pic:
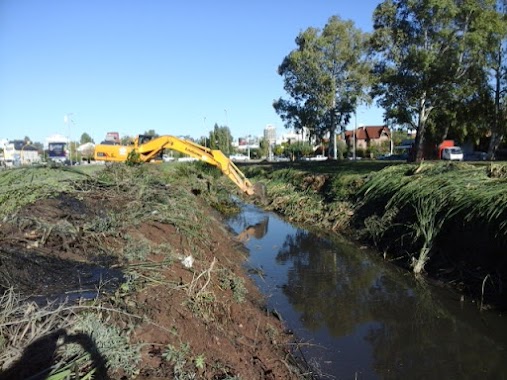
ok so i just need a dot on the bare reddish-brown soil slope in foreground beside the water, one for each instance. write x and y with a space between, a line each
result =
240 338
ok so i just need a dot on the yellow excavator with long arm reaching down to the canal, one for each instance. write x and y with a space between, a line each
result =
149 148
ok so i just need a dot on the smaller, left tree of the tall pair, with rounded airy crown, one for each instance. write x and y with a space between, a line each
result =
326 76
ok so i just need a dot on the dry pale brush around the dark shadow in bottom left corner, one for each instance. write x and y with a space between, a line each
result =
63 341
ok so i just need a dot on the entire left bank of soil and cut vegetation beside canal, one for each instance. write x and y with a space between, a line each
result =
145 281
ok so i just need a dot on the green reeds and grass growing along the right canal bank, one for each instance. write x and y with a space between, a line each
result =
399 208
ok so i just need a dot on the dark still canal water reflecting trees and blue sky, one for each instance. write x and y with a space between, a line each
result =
358 317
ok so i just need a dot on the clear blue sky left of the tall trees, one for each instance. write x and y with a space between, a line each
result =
177 67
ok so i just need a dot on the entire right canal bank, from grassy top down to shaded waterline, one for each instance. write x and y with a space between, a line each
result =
448 220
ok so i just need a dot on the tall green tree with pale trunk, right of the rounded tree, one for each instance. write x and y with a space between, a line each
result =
427 52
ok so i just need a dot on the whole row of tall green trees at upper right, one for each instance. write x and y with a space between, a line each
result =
436 66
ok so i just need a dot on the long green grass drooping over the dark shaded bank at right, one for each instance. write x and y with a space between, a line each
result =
421 200
